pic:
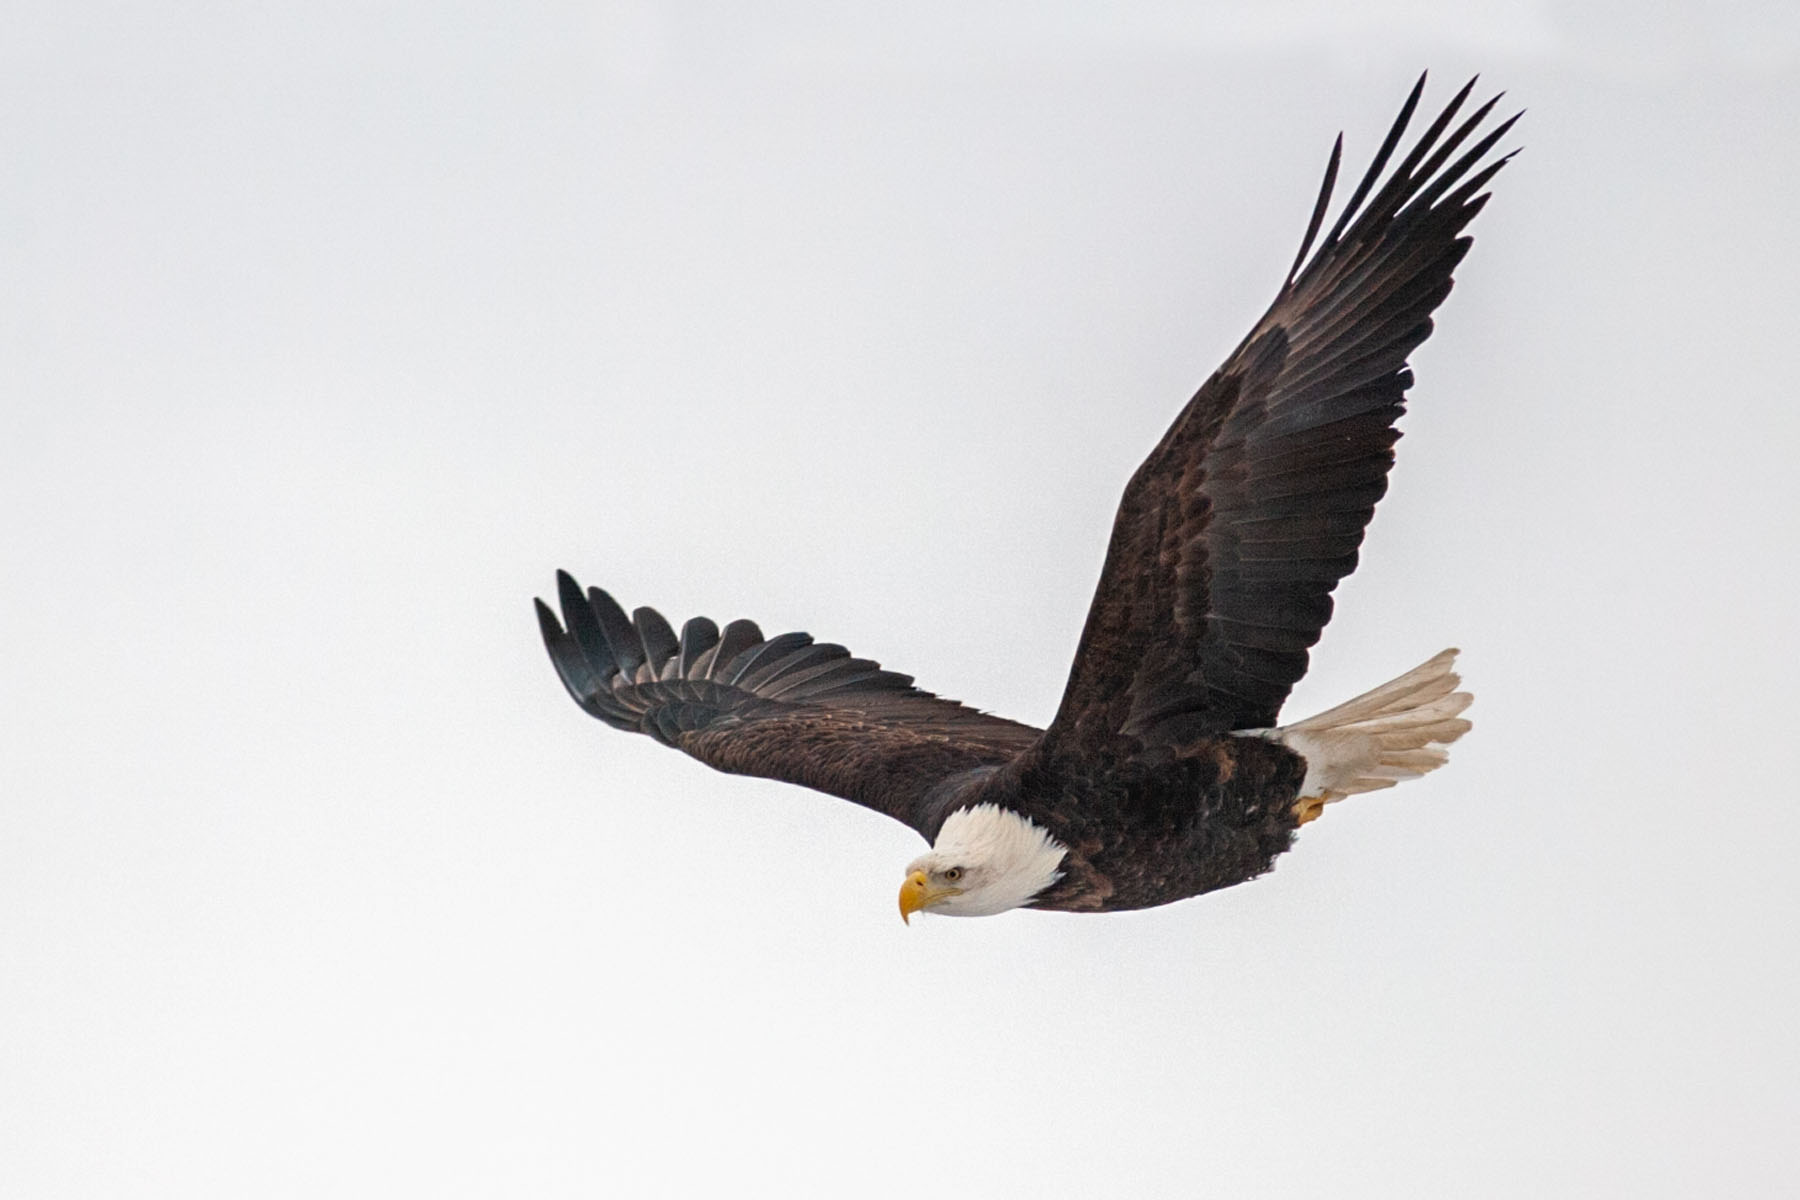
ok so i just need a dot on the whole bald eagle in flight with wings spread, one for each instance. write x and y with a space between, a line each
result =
1164 773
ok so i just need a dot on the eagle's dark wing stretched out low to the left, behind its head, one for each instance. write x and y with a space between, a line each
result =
782 708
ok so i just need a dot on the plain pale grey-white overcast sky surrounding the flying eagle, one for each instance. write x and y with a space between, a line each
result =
330 330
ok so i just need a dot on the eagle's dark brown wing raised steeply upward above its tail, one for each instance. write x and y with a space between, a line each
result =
1246 515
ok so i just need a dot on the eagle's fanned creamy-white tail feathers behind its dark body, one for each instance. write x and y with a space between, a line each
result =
1394 733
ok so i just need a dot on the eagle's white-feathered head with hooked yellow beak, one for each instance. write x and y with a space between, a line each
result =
987 859
